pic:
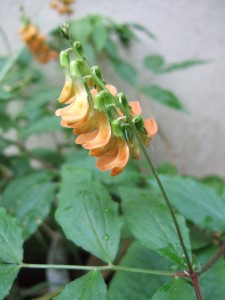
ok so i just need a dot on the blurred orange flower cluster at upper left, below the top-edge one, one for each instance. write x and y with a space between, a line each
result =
36 43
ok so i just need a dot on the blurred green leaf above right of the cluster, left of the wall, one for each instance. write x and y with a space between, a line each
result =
124 70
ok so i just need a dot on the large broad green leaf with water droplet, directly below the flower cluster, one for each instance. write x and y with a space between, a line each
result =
87 213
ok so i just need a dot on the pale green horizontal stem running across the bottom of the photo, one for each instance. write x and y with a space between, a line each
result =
99 268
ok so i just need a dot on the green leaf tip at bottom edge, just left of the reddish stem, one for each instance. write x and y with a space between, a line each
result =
175 289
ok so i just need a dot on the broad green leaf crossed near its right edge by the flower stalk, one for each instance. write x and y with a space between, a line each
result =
150 222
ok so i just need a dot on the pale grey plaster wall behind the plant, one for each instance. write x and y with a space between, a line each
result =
185 29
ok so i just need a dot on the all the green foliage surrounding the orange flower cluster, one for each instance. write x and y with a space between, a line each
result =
121 224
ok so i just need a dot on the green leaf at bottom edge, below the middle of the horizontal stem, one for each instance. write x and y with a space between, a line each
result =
88 287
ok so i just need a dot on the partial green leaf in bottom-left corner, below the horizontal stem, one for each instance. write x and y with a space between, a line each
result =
8 274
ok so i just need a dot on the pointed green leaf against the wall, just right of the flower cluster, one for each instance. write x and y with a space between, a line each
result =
163 96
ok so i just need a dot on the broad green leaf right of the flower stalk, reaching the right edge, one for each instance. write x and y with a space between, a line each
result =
197 202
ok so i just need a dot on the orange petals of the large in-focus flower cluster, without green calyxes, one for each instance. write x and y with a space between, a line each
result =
93 127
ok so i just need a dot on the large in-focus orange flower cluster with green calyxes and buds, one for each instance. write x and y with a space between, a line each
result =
94 110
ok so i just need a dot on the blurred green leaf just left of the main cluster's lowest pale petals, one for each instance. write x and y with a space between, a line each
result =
43 125
